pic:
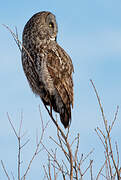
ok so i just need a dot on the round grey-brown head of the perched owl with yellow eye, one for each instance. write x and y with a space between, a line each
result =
43 26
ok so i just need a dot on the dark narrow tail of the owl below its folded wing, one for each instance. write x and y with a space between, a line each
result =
65 117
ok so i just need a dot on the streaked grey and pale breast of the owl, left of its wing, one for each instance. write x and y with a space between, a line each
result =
37 74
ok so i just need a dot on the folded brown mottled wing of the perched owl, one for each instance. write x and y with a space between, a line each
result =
60 67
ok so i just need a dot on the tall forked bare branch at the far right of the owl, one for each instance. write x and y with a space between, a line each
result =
107 141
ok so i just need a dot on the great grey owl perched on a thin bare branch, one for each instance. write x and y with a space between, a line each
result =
47 66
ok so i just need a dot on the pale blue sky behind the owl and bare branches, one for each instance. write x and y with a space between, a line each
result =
90 32
